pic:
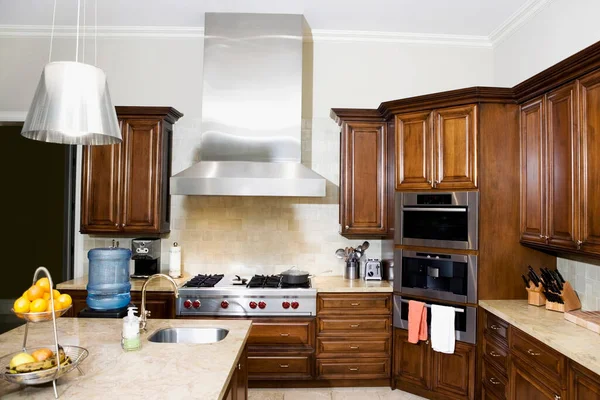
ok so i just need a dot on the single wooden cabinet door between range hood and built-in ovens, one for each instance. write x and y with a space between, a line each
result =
363 179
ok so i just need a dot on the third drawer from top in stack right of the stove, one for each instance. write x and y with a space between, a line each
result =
342 347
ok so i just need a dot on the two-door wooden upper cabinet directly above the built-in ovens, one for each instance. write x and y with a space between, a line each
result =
437 149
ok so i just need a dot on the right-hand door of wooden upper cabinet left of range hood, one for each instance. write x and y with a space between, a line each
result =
141 175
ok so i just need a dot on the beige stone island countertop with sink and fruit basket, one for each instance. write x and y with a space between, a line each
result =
157 371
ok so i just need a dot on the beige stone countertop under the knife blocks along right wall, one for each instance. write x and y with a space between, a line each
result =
550 327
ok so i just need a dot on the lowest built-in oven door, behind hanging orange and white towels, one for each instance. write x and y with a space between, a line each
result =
464 322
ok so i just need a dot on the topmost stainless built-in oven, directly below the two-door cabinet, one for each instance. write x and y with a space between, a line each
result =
444 220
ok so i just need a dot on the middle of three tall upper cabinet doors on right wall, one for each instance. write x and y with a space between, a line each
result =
562 131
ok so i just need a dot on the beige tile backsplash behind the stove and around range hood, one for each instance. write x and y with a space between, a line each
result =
265 235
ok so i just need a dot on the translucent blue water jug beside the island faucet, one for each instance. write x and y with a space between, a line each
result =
108 284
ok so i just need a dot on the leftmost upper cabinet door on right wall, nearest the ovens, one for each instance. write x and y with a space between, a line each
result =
533 172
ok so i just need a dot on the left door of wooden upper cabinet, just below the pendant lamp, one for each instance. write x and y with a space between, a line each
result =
100 190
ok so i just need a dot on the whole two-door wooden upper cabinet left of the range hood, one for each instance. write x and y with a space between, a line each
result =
125 187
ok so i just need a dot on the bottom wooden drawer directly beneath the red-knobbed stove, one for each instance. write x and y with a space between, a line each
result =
279 367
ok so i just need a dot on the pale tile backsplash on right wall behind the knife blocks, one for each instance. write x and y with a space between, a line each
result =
585 279
